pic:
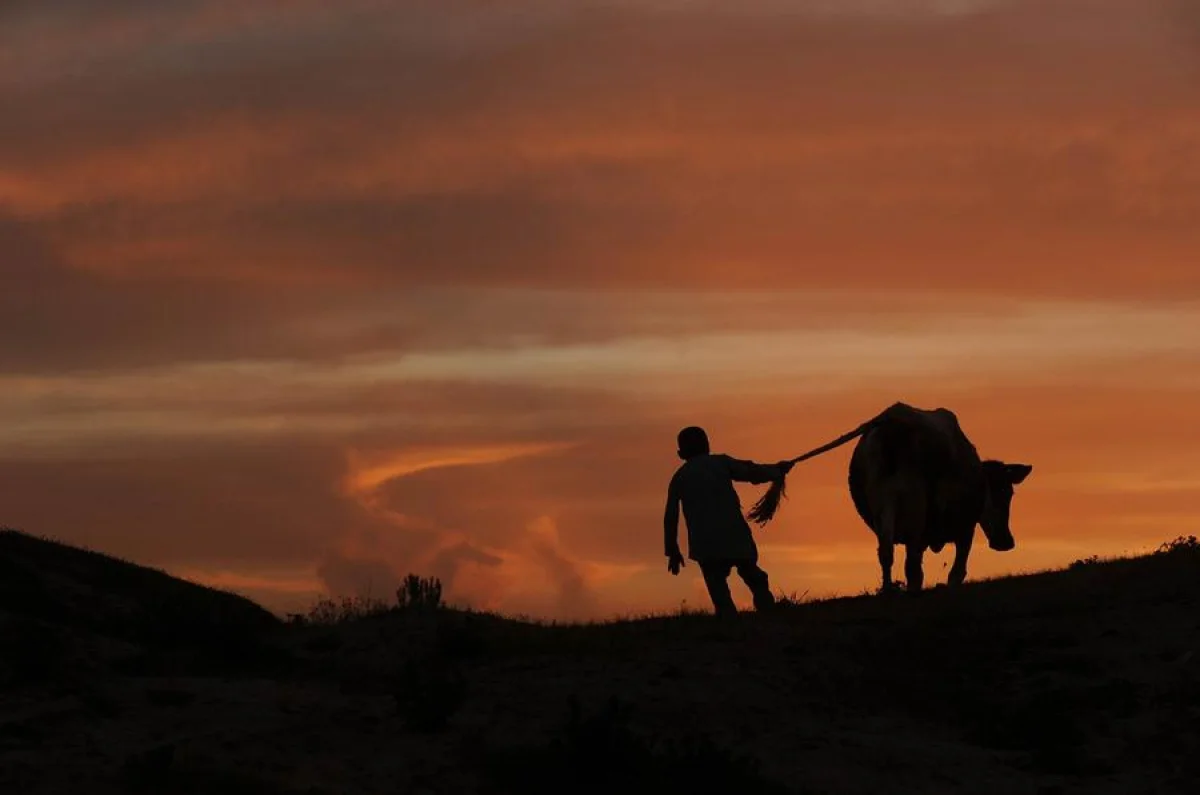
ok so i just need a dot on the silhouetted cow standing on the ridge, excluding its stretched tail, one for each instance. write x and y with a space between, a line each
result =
916 480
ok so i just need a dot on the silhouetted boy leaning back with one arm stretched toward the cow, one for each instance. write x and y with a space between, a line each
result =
719 537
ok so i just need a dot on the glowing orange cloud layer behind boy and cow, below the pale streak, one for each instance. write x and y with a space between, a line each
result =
577 533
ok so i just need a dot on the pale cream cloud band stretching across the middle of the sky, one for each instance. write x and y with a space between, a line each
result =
571 352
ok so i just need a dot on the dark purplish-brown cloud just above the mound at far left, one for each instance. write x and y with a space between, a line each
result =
197 507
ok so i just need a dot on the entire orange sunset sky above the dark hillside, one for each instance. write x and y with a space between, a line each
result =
303 297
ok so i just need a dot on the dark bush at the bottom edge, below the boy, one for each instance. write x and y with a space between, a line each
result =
602 754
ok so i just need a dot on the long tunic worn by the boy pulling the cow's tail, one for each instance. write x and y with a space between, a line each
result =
717 529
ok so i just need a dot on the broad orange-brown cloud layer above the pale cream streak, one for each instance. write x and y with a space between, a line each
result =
626 145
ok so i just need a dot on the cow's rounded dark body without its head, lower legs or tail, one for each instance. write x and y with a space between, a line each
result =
920 450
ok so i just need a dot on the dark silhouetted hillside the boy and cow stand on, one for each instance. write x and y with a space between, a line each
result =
1082 680
